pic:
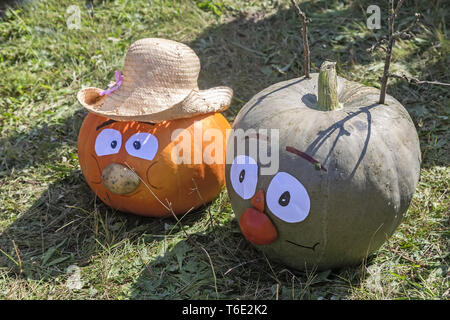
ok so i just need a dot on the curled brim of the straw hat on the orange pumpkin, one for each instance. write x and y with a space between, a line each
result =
197 102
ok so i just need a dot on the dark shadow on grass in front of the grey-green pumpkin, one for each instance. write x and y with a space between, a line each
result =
220 263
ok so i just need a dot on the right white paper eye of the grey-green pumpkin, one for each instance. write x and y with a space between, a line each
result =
287 198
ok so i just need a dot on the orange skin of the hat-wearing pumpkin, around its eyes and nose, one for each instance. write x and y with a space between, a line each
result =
159 178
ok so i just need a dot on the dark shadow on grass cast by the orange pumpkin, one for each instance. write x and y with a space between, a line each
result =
68 226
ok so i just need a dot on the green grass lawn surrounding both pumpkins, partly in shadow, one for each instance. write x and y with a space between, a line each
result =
50 220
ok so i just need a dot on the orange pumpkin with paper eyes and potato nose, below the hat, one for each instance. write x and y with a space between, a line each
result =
130 165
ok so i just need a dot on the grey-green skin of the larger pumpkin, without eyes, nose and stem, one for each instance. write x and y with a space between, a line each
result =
370 158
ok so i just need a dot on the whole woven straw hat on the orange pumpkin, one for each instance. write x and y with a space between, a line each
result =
159 83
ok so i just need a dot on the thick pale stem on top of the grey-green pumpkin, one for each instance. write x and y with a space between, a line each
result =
327 91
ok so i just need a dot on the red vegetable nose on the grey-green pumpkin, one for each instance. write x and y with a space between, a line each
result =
255 224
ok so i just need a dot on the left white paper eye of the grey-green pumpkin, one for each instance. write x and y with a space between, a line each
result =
244 176
